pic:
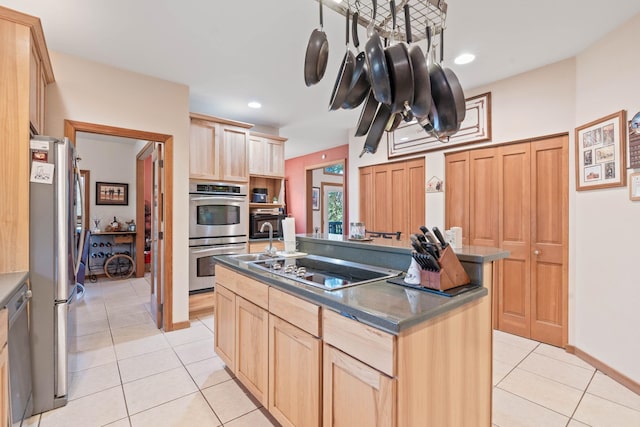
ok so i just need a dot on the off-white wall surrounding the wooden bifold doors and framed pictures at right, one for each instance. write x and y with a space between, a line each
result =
604 294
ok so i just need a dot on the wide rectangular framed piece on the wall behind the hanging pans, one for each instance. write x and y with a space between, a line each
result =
411 138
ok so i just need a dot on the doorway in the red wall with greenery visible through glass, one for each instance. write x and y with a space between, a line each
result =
326 197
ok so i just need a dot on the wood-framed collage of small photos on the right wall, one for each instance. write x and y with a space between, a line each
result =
600 153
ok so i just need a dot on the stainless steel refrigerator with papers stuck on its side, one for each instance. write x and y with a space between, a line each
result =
55 244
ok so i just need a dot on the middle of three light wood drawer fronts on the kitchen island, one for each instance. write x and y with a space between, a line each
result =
296 311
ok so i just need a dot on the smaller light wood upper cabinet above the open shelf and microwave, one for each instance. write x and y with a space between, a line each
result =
266 155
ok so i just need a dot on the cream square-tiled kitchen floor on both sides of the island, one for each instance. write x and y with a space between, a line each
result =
125 372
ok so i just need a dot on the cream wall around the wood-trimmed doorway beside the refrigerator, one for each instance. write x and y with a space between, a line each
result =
91 92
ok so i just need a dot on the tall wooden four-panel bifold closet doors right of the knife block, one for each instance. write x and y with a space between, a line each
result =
515 197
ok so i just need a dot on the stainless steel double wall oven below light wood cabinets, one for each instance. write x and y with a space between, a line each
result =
218 225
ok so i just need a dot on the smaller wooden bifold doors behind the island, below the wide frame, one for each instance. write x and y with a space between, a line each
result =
392 196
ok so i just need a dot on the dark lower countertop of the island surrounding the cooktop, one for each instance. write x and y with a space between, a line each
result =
391 308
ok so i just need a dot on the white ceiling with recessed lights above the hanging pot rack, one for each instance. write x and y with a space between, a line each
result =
232 52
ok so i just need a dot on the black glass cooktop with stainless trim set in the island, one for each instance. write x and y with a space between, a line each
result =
322 272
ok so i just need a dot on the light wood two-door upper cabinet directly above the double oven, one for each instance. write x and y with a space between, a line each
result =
218 149
